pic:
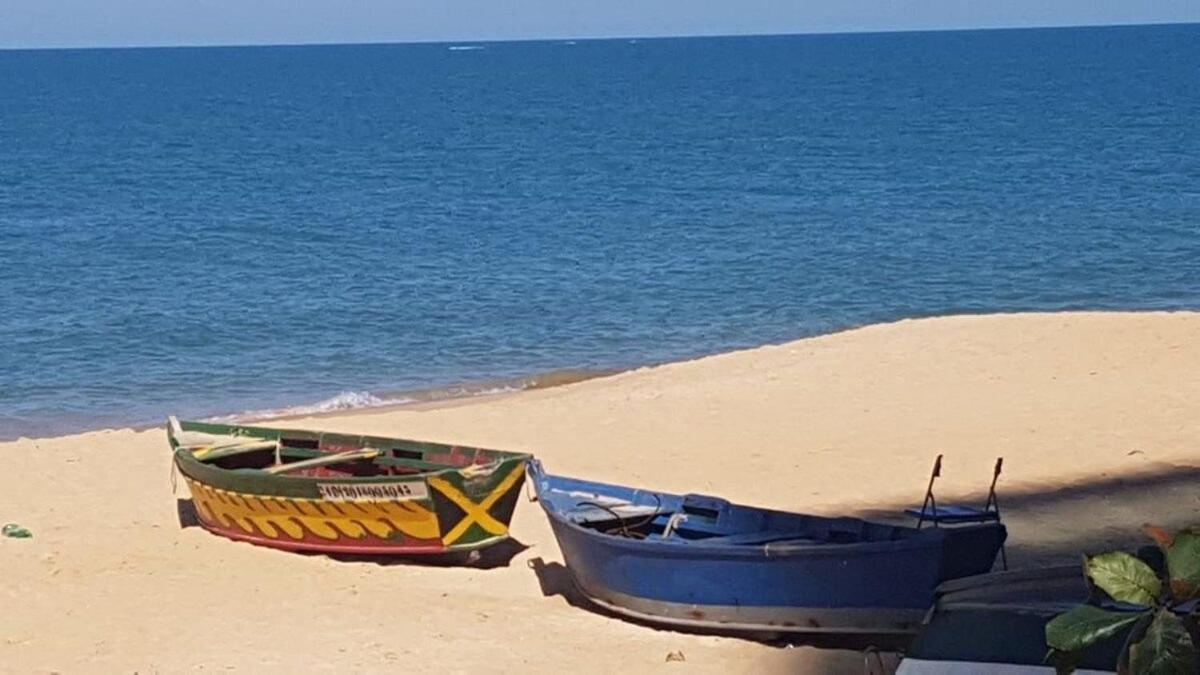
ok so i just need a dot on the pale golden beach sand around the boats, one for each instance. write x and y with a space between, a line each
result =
1096 415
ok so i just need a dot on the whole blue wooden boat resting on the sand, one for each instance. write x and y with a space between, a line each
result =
701 563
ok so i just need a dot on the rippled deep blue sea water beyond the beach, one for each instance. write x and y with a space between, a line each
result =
211 231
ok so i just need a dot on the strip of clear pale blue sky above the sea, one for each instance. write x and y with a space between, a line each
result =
79 23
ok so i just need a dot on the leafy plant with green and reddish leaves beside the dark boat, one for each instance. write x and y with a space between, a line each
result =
1159 610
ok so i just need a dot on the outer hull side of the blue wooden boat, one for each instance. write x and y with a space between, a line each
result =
879 588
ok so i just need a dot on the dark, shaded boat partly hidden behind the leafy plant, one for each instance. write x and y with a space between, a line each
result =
995 625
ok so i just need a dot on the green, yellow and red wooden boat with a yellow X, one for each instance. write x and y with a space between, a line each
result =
335 493
